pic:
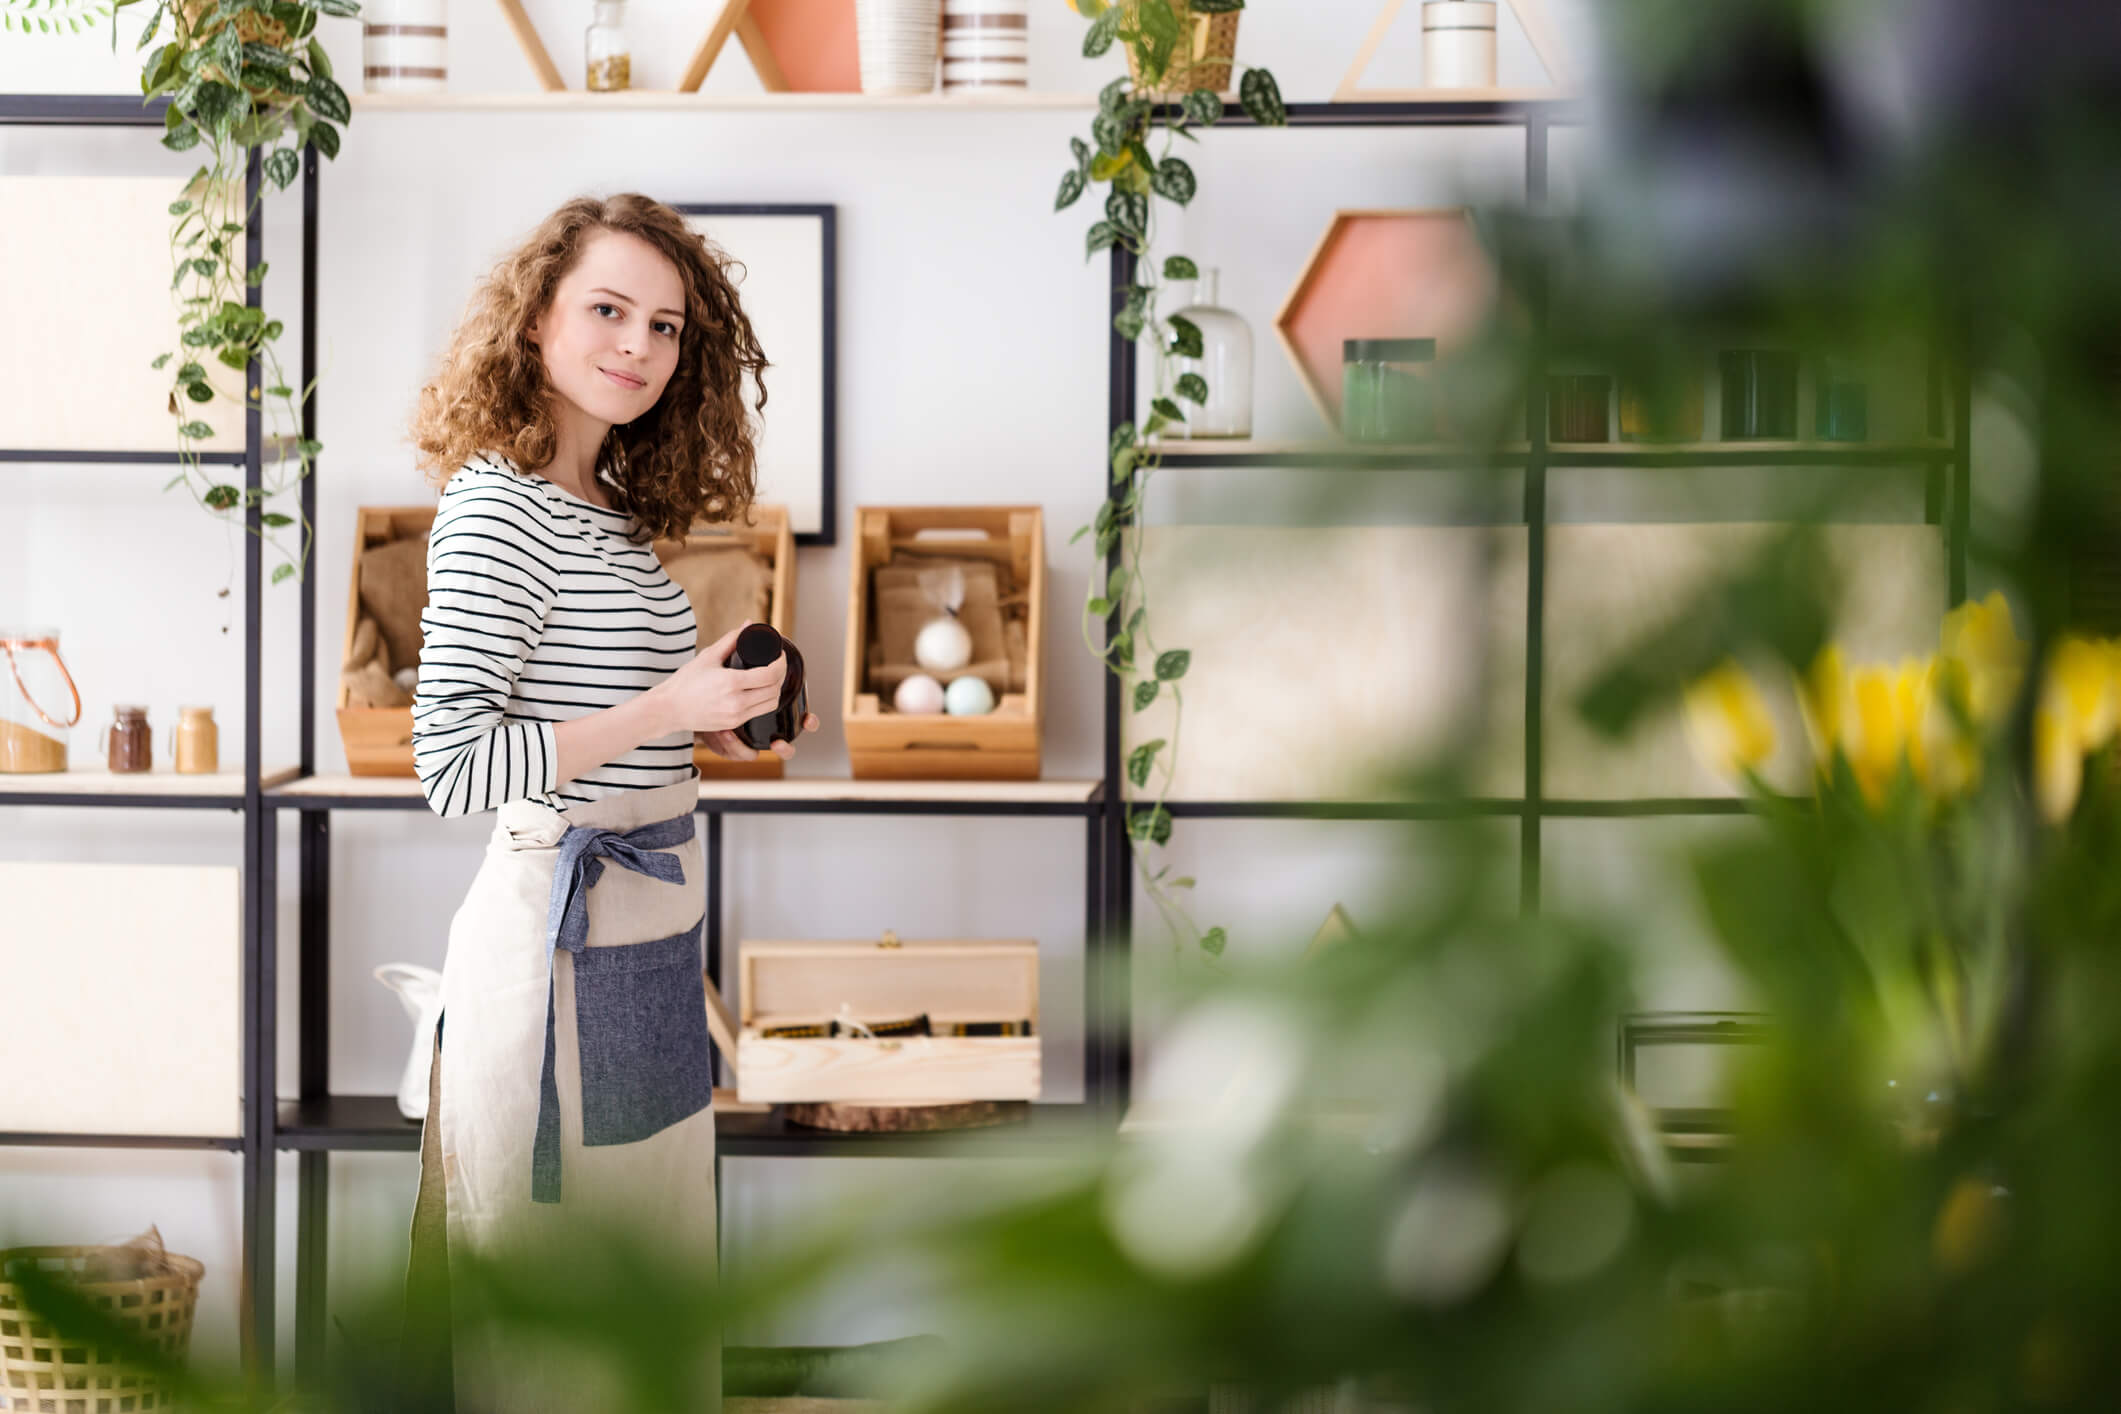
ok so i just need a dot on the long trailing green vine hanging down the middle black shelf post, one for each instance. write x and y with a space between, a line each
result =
1157 37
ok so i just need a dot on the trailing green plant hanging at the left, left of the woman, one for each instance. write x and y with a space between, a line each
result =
243 77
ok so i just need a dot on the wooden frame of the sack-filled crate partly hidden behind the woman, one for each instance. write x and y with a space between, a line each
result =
379 741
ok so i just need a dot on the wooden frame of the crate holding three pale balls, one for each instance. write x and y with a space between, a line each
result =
1004 745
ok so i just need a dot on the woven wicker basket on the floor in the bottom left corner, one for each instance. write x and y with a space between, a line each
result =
39 1375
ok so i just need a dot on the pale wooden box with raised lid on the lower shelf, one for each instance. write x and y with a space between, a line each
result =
873 983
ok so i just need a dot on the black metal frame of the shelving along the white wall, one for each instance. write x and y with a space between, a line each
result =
319 1123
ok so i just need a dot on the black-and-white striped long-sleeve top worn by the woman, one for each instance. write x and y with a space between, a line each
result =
538 612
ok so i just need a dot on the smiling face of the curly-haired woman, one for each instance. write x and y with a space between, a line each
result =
612 334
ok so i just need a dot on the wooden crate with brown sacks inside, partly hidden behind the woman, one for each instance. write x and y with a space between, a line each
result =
726 571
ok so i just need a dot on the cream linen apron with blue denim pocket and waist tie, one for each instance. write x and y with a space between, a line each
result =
561 1120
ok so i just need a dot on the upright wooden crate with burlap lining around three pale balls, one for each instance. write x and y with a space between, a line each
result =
1002 554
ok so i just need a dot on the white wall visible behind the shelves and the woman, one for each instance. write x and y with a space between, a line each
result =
972 368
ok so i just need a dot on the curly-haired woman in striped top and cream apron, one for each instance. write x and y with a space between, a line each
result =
593 400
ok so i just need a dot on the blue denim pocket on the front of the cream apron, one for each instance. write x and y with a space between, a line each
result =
642 1019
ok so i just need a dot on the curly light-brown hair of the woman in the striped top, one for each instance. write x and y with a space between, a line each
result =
688 459
